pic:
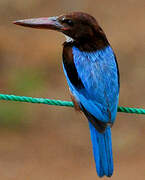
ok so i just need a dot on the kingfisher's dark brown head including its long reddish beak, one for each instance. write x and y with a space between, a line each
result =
77 26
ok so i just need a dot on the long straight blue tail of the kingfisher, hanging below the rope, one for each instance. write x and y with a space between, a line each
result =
102 149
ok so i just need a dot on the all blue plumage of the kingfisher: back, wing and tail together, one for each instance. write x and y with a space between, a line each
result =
98 72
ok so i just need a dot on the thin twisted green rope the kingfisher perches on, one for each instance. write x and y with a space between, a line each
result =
7 97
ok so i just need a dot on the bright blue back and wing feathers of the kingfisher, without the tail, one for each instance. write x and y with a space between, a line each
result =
98 73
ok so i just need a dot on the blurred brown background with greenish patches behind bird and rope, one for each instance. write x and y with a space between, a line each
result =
48 142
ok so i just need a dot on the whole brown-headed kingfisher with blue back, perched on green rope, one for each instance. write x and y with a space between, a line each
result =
92 74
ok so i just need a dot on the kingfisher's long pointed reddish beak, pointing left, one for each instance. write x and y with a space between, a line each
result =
41 23
